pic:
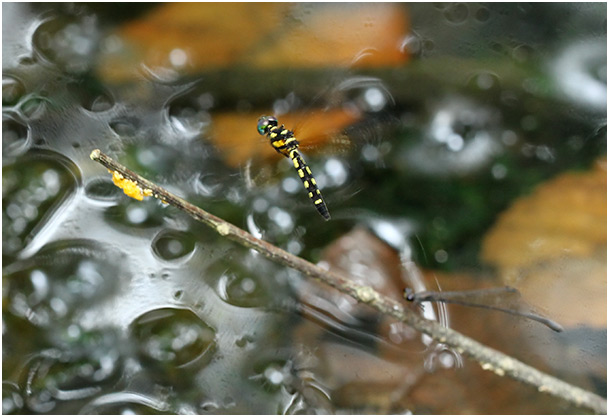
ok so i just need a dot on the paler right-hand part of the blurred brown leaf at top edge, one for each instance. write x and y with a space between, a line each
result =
359 35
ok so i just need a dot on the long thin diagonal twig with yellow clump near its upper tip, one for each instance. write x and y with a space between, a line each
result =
488 358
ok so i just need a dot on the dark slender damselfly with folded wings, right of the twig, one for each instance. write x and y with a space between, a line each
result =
504 299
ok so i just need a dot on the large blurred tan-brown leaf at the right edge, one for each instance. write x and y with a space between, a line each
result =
552 246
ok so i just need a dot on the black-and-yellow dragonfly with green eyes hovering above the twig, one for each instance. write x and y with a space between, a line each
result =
284 142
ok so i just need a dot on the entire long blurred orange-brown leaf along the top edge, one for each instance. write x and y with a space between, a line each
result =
212 36
